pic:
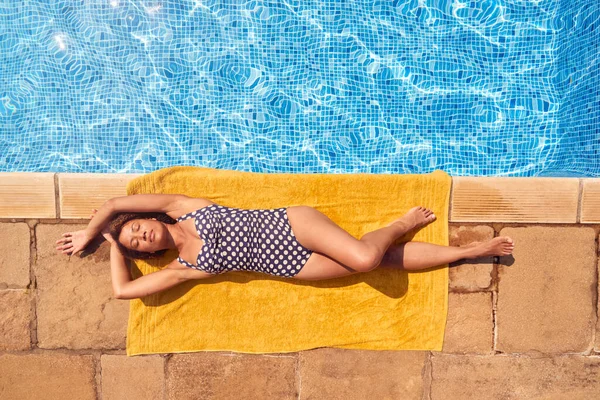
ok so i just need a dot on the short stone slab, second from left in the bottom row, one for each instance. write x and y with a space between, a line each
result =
133 378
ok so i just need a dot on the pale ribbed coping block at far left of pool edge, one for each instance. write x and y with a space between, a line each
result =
27 195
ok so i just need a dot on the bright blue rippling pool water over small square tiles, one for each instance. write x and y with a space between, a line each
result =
488 88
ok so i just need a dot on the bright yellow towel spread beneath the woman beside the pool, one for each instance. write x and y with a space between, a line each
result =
250 312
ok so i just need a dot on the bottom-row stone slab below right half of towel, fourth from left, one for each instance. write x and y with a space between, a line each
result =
331 373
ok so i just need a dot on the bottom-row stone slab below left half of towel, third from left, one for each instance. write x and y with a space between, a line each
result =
210 375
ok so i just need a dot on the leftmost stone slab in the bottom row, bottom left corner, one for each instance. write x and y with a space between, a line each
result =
47 376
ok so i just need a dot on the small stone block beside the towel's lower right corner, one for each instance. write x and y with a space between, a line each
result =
470 326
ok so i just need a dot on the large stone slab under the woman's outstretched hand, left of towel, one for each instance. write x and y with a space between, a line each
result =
75 304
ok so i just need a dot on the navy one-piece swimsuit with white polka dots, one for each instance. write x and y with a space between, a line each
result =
246 240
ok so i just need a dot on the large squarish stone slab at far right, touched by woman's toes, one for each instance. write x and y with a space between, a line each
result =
546 298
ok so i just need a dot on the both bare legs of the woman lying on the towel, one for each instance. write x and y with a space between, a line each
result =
336 253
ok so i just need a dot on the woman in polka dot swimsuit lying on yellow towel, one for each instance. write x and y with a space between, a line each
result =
293 242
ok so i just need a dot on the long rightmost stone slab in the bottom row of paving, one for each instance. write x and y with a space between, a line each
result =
514 377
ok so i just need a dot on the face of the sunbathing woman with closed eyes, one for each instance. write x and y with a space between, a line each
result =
145 235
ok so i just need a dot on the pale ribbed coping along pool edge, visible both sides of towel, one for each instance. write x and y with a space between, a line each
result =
472 199
